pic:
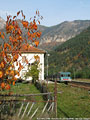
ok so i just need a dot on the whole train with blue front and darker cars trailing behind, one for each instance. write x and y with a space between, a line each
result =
62 77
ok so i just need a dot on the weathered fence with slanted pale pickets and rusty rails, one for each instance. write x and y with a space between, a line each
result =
24 106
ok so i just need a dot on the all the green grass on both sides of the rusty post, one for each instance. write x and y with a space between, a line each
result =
72 102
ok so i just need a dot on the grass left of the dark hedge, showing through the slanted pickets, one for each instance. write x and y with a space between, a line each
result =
21 88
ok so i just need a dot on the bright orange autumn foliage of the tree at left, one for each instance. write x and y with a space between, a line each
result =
10 50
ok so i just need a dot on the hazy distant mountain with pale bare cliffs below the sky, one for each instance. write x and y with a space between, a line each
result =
52 36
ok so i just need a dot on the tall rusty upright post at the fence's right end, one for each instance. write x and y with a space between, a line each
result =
55 97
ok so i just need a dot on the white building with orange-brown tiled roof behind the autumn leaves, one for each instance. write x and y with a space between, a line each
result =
29 54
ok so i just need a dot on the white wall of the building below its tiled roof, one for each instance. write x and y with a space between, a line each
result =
31 59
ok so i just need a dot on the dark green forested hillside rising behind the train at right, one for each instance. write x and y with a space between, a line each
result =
73 55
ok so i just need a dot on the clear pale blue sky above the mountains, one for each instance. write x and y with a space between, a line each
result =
53 11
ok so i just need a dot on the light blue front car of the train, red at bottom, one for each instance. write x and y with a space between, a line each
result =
64 77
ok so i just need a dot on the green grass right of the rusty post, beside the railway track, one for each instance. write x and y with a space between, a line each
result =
72 102
